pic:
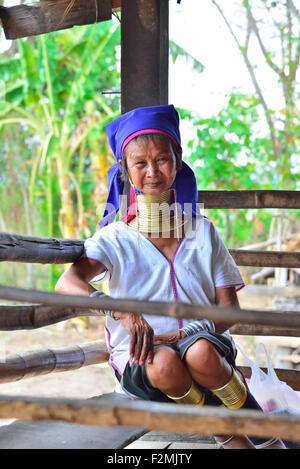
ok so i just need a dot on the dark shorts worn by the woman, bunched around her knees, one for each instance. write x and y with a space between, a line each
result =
135 378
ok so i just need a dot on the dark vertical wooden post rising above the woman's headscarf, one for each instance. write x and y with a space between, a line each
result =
144 53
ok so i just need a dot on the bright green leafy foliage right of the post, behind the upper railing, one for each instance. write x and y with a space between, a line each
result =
229 153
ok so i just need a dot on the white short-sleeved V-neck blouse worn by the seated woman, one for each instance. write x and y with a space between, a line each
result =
138 270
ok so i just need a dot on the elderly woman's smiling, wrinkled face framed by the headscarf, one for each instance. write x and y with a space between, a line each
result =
151 165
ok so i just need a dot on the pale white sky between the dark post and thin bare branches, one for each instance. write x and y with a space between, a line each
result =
198 28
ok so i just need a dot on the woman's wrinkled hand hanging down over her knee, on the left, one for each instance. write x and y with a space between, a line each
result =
140 335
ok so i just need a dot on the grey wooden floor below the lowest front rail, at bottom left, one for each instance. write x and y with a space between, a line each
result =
45 434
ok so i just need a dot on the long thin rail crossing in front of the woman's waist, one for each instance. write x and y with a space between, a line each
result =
156 308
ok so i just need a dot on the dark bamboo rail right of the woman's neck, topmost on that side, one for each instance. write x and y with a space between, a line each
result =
249 199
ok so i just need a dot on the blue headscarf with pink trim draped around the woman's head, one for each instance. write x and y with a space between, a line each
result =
153 119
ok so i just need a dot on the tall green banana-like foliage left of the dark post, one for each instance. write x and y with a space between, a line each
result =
52 118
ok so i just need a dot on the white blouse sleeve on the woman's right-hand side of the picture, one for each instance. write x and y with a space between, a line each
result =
224 268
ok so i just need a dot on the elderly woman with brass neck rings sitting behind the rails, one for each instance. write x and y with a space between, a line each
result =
169 254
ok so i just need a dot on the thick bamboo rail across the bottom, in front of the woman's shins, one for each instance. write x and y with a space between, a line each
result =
168 417
